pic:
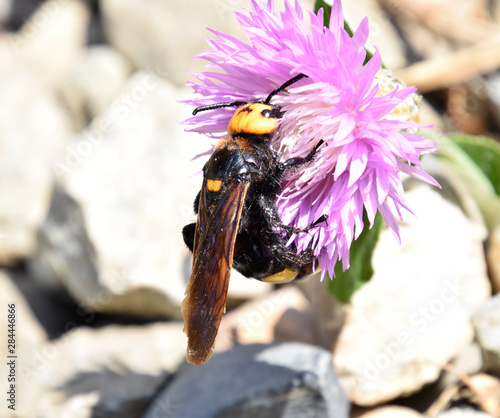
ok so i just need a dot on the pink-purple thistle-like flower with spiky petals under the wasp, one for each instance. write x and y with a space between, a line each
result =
366 148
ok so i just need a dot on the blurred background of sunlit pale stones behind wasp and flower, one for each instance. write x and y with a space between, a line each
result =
97 179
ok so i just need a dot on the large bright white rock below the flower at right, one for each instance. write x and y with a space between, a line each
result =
414 314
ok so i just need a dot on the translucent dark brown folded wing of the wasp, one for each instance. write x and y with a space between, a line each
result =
206 291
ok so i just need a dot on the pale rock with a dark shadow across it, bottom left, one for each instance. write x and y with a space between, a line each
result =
109 372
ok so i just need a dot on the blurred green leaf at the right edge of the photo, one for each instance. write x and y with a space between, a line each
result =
485 152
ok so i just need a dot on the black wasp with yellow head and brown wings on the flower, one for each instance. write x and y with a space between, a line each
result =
238 224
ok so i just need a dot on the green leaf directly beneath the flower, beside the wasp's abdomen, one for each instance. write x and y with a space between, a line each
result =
345 283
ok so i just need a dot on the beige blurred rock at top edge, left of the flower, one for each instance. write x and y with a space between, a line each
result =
166 35
